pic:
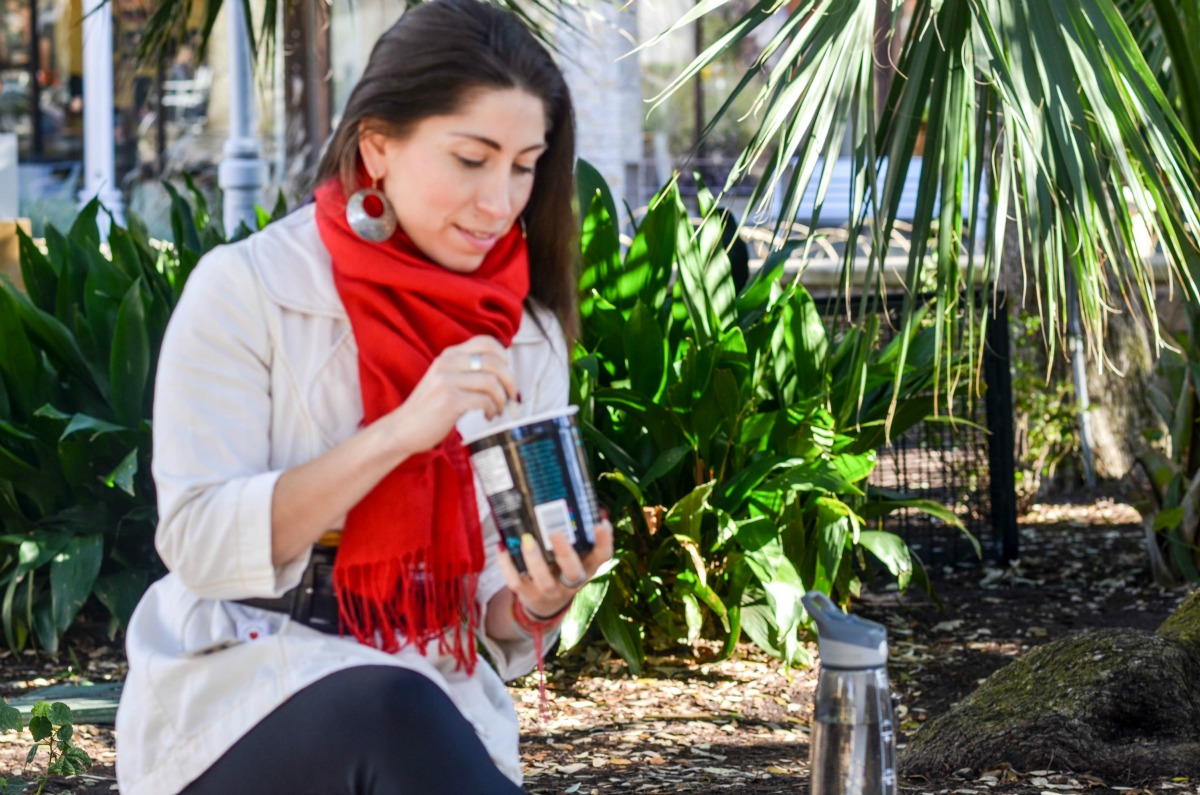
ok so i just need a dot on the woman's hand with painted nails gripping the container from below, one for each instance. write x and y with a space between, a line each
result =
542 591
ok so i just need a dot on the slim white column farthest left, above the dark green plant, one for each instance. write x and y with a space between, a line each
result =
100 142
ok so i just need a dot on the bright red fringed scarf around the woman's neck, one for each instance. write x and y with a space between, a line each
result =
412 549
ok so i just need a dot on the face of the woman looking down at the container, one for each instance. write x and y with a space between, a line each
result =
458 183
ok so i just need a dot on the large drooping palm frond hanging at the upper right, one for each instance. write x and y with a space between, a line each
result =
1045 107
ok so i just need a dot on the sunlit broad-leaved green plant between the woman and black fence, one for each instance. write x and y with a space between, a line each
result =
733 434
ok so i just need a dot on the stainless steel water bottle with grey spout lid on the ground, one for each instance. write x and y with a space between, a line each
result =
853 750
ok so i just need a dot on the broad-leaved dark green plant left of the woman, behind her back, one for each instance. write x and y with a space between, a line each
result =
79 352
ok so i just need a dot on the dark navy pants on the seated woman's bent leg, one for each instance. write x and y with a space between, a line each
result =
368 731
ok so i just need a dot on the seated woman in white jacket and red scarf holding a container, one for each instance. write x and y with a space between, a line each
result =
313 393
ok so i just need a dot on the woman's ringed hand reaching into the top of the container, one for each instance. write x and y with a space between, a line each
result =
475 375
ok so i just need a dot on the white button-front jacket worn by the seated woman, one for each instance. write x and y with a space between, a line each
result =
259 374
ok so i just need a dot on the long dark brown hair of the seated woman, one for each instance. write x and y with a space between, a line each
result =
429 64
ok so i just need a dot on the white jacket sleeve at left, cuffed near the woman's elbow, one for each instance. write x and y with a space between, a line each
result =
212 437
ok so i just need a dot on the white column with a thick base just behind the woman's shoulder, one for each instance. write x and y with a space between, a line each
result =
243 174
